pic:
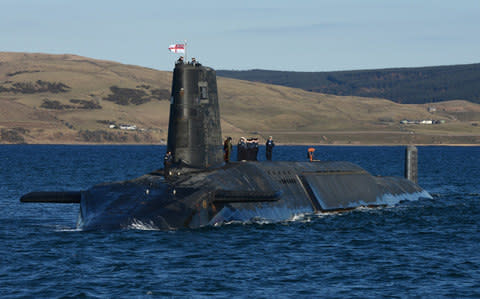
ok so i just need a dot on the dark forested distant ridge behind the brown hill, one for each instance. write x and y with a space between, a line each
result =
402 85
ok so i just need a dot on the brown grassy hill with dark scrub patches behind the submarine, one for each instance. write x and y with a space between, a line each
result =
72 99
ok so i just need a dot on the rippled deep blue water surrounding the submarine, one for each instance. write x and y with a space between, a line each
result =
425 248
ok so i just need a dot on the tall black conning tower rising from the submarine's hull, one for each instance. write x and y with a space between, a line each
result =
194 132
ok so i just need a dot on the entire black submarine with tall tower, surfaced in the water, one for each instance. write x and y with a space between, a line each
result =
199 189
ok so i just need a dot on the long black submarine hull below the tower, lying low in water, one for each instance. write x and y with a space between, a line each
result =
241 191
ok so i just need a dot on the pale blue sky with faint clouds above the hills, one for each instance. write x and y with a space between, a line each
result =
309 35
